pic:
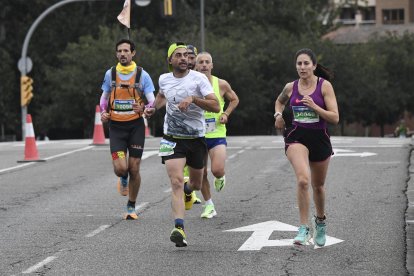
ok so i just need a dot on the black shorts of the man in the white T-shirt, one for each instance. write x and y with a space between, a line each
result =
194 150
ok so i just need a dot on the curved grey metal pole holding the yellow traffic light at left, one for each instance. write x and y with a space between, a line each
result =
32 28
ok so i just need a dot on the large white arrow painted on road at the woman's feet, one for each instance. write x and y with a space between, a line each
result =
262 231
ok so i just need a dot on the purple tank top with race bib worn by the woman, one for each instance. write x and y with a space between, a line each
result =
304 116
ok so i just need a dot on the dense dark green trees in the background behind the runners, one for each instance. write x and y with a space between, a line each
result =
252 42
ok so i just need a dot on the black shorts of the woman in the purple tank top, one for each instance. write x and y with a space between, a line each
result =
317 141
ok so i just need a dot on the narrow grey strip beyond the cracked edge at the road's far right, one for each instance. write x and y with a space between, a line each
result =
409 215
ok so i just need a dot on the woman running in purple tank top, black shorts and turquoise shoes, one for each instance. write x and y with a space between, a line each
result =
307 142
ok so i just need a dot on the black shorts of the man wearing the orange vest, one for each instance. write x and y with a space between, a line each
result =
128 135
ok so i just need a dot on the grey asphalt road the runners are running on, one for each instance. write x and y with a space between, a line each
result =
64 216
